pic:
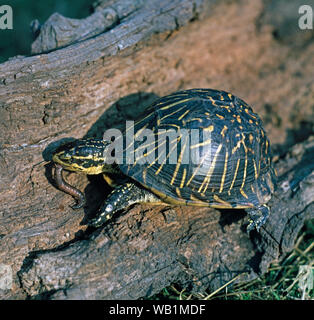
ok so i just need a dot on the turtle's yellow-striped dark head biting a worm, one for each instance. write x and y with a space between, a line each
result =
87 156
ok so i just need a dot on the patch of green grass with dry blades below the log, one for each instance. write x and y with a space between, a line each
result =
291 279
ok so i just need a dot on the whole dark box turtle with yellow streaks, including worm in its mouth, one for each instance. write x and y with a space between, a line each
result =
214 153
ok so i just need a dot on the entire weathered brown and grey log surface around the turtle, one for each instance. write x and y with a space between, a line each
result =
93 85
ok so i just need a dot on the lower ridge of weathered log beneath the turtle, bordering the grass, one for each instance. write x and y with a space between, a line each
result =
148 248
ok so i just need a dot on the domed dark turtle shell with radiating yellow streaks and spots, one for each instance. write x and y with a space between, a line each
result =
202 147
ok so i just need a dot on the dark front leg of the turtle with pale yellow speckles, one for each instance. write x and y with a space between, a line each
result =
121 198
